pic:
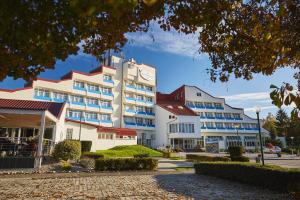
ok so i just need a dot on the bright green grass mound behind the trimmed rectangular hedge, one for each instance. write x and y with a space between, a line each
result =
128 151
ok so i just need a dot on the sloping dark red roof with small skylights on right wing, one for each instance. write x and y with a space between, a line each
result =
176 108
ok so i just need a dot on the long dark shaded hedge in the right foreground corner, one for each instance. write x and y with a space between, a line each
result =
271 177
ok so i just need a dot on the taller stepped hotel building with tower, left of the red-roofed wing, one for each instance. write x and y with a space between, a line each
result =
108 104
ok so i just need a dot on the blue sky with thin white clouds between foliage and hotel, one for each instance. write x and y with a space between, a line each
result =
178 62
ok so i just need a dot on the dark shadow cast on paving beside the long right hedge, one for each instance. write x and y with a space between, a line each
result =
205 187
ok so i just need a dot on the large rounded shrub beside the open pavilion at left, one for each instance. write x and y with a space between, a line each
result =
67 150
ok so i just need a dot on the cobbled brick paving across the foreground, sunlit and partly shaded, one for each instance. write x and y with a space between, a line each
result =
130 186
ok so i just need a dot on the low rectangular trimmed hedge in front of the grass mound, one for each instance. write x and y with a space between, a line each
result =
121 164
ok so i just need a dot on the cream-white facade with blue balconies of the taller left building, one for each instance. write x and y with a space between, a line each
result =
120 96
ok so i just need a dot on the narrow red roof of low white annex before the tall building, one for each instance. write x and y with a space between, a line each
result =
118 131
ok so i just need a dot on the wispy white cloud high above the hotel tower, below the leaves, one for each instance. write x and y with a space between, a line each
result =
167 41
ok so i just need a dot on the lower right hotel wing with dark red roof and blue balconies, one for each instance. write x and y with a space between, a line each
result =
220 125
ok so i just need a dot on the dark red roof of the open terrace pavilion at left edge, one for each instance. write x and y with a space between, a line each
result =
52 107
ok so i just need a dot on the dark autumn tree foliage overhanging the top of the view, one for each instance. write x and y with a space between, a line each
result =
240 37
